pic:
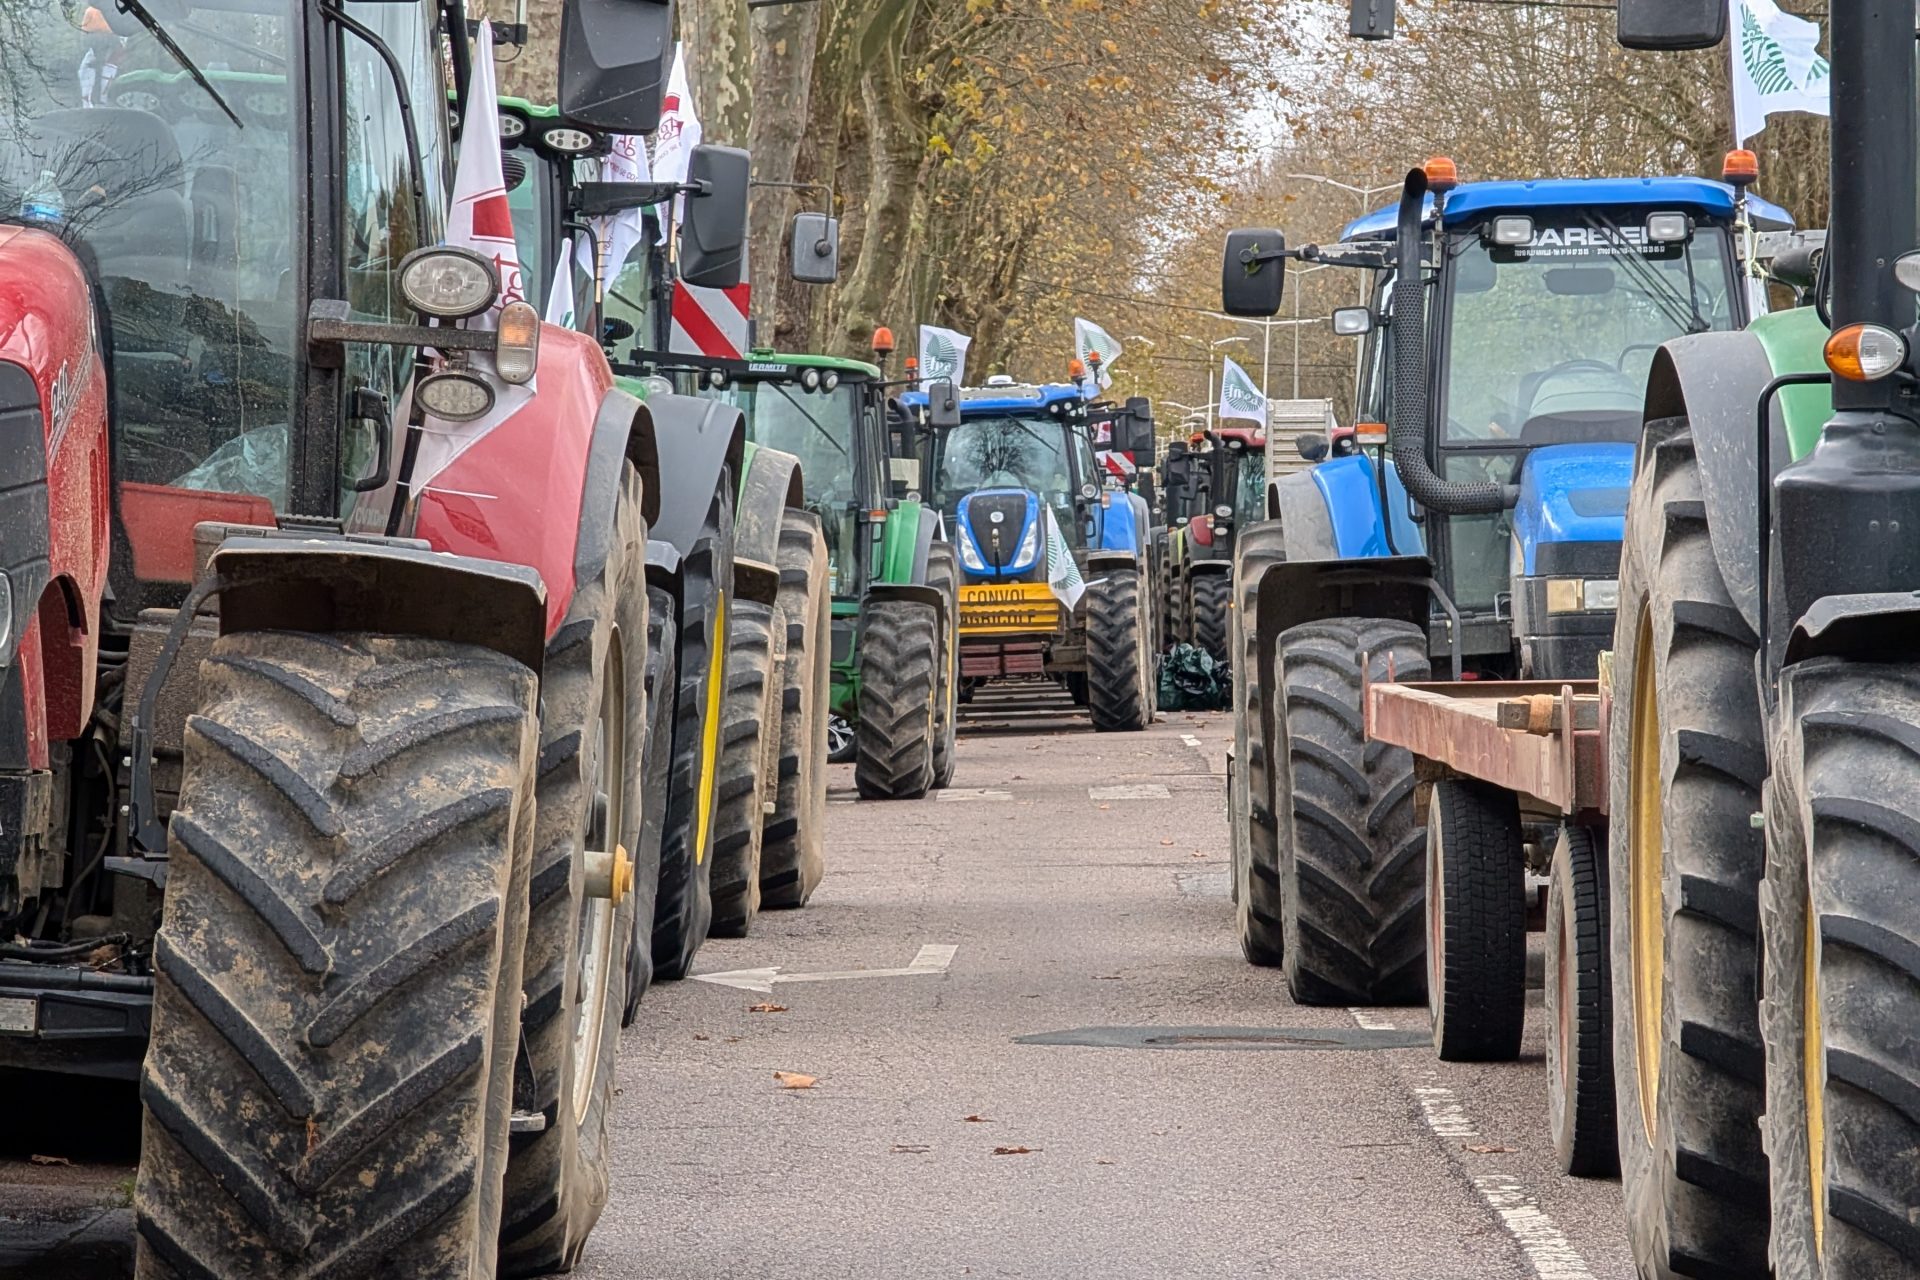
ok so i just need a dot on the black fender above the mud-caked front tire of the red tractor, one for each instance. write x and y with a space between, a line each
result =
391 588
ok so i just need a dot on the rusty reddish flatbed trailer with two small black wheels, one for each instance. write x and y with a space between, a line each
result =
1514 778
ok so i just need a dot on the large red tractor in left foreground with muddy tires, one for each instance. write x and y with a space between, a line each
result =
322 776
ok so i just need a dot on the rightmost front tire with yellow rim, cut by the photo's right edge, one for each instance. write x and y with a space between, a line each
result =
1840 914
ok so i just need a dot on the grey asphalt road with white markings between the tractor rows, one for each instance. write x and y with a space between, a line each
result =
1193 1124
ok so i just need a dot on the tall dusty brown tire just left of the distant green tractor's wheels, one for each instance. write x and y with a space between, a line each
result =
794 845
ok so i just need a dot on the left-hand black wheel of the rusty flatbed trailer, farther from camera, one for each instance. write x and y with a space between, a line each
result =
1476 922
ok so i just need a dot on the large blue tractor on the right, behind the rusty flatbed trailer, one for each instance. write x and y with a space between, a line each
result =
1506 350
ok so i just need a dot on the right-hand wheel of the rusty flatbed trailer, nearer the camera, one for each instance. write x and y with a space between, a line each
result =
1581 1010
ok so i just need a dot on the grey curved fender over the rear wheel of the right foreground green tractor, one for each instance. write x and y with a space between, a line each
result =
1716 383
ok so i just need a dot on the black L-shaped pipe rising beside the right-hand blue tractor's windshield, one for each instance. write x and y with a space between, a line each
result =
1406 433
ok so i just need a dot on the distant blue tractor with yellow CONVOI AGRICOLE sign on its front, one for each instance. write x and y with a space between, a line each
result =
1057 577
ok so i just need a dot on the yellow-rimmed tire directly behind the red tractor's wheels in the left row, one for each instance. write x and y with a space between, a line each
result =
684 909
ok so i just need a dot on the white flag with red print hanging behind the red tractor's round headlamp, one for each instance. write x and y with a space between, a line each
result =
481 222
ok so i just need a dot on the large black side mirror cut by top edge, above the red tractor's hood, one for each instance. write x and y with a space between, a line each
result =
615 57
